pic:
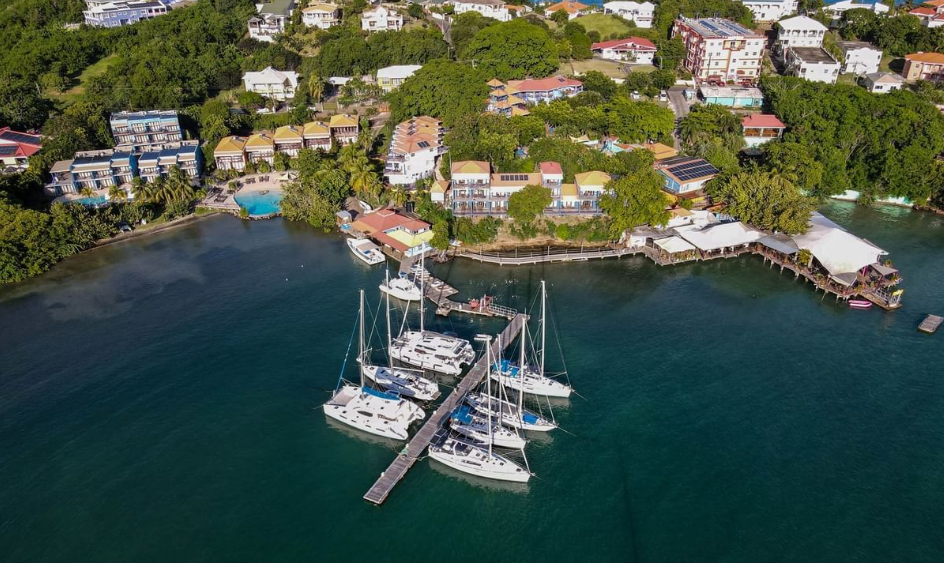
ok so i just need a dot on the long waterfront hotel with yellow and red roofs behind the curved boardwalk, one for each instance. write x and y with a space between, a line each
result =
476 191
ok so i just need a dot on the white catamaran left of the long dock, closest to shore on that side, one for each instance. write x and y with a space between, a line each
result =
431 350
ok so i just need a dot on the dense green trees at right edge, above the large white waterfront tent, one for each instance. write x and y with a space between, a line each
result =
877 145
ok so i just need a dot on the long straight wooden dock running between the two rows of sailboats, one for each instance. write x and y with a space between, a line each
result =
417 445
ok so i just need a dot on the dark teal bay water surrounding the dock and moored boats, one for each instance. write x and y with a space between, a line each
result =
158 402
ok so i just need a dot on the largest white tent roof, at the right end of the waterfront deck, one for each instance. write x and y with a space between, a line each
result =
837 250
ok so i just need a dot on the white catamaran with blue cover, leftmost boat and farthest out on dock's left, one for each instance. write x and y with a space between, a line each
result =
370 410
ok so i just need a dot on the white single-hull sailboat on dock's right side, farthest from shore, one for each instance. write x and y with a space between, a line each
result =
469 457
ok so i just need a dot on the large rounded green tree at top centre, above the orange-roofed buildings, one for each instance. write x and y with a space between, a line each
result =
514 49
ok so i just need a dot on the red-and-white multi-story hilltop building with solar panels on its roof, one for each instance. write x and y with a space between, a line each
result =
720 50
